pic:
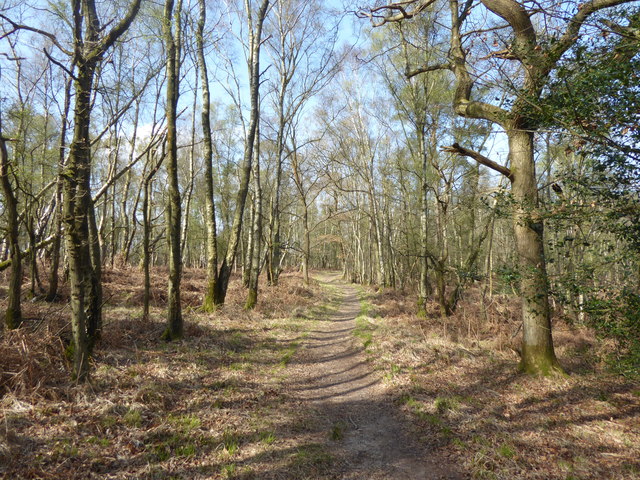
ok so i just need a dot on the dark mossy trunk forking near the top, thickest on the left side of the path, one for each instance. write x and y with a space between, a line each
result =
78 217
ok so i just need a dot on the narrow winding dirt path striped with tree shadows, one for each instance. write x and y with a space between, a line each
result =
352 401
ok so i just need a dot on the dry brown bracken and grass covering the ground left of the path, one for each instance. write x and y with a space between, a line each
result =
209 406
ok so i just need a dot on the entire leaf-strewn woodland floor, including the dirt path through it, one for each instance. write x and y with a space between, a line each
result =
330 381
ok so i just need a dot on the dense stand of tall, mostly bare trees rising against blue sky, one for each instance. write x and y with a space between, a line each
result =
490 145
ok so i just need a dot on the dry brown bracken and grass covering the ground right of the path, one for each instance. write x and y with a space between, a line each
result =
456 379
